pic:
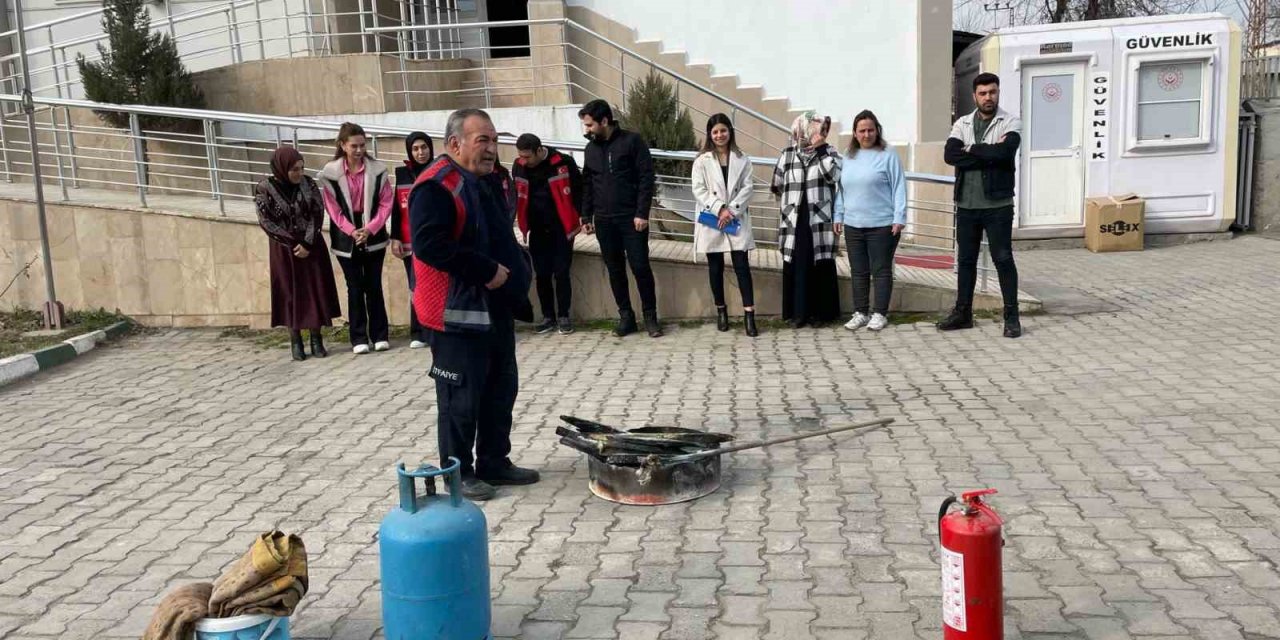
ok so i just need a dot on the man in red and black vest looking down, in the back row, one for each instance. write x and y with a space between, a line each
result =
548 200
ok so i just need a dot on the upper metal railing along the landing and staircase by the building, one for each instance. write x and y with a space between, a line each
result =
588 65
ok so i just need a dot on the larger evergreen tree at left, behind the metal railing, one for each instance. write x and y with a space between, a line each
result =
138 67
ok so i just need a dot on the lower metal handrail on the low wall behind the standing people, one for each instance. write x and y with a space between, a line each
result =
226 170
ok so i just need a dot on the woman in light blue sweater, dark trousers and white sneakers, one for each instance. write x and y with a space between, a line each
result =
871 212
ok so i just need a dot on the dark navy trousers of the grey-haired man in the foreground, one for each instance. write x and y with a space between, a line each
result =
477 383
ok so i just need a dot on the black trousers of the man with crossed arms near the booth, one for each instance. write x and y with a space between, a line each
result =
999 227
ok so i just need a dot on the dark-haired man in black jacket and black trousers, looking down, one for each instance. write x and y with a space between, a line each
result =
619 189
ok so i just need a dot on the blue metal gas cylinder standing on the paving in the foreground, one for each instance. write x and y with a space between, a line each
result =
435 557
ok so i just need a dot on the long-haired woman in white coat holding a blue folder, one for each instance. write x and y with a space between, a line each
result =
723 189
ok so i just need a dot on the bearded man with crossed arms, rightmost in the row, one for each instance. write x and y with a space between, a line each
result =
984 149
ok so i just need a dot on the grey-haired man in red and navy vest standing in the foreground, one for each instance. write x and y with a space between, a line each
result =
472 285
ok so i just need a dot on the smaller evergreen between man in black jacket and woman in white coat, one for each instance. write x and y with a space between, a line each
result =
655 113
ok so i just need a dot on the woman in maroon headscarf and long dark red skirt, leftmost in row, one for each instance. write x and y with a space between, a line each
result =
304 294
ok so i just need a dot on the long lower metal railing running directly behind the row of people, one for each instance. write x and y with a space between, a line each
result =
222 156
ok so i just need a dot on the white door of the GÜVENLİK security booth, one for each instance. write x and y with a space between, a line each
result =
1053 182
